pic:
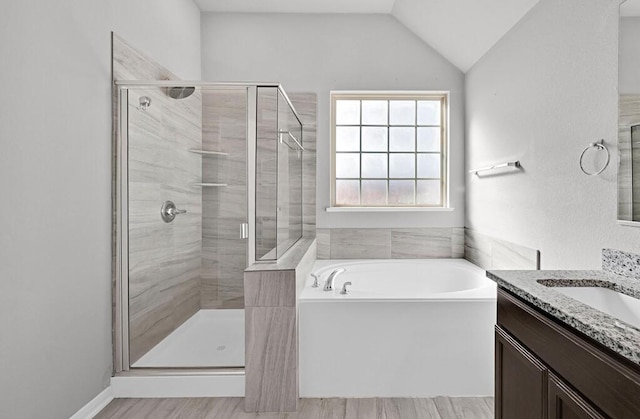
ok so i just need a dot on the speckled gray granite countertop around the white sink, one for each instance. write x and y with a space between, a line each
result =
613 333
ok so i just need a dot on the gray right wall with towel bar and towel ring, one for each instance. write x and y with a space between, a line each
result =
544 92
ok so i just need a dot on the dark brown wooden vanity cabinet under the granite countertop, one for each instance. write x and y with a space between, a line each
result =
547 370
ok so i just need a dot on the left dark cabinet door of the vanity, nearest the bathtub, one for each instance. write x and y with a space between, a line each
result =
521 381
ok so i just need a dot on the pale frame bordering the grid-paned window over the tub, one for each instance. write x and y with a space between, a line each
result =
442 96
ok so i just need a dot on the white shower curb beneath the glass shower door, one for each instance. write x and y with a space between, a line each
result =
178 386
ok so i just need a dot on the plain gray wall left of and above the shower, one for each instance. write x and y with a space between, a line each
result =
55 178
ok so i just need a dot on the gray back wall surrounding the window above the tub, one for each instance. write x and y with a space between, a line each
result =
320 53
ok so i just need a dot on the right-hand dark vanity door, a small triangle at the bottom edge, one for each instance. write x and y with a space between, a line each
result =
565 403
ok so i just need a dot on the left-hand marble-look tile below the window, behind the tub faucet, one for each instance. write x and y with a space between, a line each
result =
360 243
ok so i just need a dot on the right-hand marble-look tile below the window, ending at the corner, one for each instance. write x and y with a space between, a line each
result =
417 243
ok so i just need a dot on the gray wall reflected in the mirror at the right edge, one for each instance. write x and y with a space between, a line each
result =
630 55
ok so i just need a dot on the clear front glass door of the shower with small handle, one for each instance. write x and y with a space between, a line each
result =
186 204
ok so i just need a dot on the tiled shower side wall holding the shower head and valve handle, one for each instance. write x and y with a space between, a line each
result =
164 258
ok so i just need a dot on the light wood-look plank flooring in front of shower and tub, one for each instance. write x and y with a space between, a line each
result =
233 407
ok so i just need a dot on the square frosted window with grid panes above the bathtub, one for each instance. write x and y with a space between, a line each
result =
388 149
